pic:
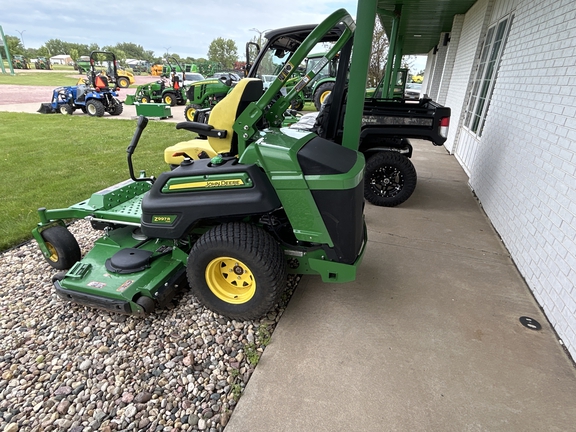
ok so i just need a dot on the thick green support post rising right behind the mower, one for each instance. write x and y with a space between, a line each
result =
359 71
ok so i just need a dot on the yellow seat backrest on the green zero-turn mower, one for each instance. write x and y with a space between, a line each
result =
225 113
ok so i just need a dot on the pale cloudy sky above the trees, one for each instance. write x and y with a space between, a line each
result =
185 28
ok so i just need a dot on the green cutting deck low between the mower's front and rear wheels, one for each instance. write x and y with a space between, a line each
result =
115 285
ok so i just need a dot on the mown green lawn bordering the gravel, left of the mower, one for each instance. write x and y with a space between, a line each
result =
54 161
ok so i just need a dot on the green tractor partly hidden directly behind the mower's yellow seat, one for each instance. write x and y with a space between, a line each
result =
204 94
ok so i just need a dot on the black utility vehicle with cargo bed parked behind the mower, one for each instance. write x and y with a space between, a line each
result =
388 122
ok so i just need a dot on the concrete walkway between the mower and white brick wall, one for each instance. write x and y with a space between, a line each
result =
427 338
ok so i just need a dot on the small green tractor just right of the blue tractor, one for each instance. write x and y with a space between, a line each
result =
168 89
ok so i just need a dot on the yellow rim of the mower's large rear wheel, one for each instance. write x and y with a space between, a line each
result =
230 280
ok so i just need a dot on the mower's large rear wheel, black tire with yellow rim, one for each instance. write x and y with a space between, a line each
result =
237 270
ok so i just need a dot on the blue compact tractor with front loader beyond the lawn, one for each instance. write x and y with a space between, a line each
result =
94 97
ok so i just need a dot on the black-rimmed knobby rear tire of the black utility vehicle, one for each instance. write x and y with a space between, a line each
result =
389 179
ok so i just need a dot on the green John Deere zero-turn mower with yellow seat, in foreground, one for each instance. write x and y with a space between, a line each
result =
276 201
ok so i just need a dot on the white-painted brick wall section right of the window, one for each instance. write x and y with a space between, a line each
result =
524 169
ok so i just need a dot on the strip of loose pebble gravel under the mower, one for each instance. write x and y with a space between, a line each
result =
68 367
